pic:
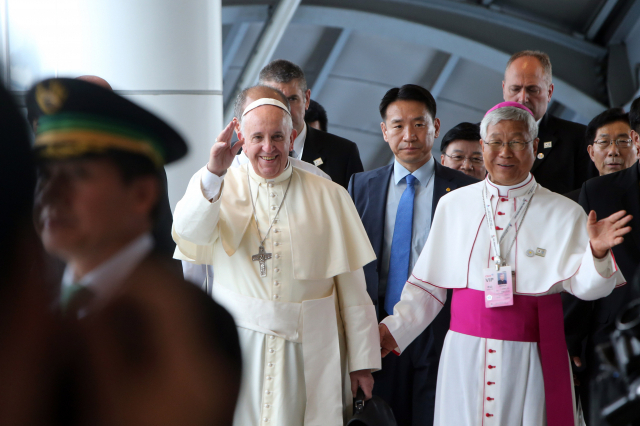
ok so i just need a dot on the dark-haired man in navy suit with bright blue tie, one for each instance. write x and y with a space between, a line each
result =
388 199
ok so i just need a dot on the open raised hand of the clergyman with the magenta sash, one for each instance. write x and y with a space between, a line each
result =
607 233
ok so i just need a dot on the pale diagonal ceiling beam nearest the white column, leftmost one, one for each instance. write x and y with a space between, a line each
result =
267 43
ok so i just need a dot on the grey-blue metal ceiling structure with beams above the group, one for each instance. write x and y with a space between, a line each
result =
352 51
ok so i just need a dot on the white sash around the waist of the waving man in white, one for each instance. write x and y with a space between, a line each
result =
312 323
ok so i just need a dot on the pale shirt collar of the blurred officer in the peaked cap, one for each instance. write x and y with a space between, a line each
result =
106 277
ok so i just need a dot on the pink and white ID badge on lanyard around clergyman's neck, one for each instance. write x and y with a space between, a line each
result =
499 282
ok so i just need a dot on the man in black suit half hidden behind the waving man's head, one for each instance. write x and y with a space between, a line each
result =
336 156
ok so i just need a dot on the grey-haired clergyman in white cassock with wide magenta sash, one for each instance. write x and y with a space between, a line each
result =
504 360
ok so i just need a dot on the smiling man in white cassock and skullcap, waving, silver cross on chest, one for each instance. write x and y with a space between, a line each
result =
287 248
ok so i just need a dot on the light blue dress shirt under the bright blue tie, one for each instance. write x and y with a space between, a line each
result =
422 205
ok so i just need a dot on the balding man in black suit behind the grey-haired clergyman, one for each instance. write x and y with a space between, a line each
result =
562 163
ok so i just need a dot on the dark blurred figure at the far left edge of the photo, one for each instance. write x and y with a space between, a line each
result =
28 329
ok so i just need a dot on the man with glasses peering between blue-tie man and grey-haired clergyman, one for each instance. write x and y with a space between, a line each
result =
461 150
